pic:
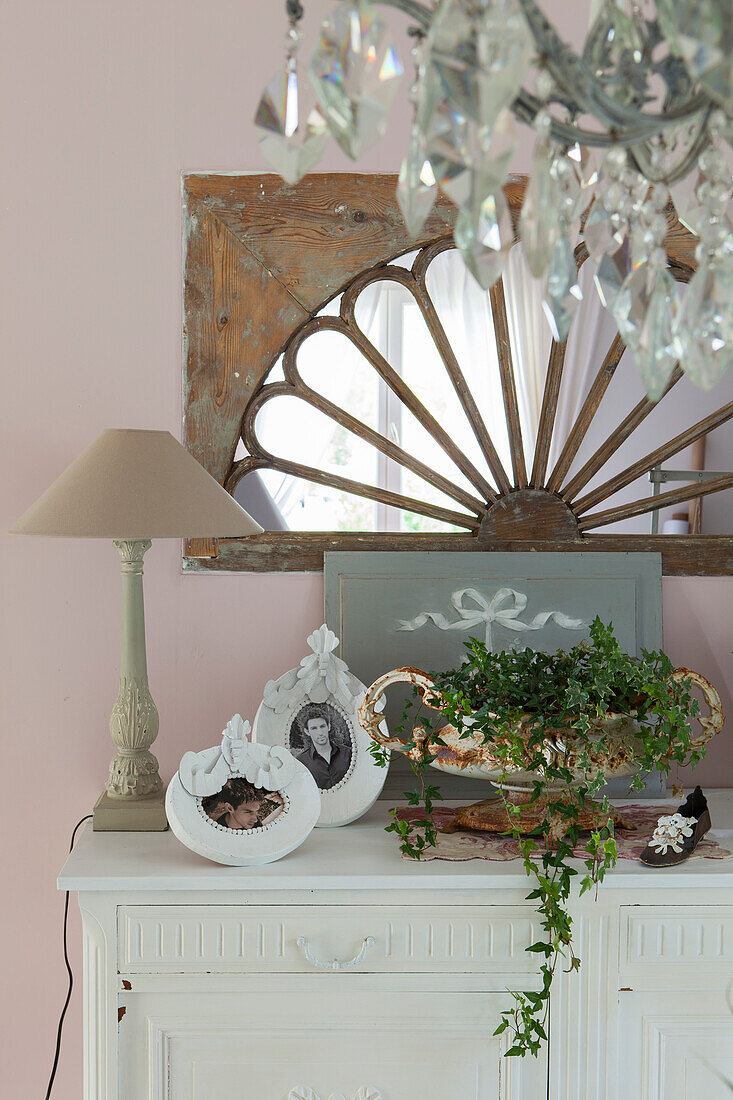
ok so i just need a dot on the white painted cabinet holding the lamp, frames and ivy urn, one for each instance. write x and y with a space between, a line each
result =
344 973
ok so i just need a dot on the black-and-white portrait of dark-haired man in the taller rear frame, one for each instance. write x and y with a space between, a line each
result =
321 740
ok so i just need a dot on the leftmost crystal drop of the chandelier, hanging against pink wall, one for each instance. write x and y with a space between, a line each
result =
290 146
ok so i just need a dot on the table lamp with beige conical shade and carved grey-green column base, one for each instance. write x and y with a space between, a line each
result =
133 487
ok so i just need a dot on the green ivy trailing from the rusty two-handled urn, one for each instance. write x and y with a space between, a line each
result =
568 690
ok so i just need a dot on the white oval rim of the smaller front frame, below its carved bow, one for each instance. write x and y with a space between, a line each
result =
248 848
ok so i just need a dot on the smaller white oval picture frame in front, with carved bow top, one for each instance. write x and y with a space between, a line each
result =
277 780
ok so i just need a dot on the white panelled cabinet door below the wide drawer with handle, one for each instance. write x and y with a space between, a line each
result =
347 1044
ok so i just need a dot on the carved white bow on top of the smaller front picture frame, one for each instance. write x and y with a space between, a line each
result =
206 773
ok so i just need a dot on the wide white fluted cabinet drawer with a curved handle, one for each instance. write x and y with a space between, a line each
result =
305 939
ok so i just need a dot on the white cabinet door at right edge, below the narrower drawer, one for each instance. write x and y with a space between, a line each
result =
676 1047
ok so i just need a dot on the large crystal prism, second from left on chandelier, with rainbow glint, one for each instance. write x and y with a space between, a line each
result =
356 73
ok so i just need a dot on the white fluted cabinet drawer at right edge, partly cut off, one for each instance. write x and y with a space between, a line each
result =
675 940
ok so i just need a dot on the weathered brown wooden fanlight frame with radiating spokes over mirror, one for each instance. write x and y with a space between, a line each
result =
264 259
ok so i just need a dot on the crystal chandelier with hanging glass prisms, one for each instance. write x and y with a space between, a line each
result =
639 123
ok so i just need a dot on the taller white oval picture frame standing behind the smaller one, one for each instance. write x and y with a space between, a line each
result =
324 694
